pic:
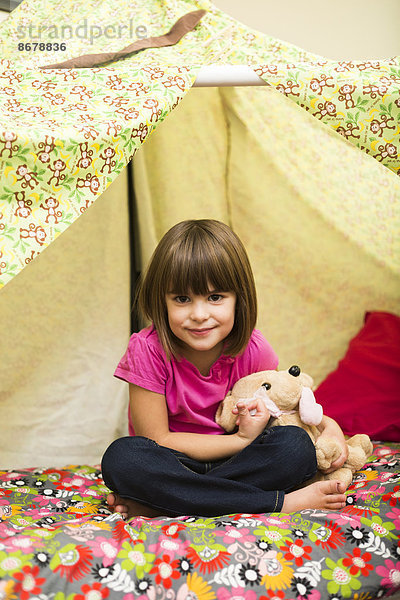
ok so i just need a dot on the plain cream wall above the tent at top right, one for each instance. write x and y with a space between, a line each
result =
336 29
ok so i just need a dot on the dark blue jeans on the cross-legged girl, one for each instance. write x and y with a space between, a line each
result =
252 481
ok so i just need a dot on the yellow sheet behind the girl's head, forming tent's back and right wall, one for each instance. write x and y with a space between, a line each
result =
318 217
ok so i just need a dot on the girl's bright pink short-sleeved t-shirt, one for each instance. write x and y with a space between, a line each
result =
192 398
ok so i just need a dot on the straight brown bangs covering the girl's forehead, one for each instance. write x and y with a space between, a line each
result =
198 265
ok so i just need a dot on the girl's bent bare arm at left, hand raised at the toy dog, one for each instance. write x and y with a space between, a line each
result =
150 419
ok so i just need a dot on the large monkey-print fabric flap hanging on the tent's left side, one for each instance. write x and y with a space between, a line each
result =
64 141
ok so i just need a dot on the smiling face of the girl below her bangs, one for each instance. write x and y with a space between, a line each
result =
201 322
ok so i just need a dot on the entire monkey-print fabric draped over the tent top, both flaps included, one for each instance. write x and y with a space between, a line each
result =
65 134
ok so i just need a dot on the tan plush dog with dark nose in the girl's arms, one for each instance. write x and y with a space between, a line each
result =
290 400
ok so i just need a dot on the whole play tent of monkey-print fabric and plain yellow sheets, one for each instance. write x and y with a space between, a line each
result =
319 217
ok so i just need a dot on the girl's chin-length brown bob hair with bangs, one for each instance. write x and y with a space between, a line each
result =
193 256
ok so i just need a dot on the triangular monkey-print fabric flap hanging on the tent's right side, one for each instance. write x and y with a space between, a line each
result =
359 100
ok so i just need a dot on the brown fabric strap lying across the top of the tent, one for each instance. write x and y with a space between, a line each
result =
178 30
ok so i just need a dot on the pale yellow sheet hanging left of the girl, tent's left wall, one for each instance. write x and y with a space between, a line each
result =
64 325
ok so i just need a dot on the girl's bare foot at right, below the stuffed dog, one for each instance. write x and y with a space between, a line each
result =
327 494
